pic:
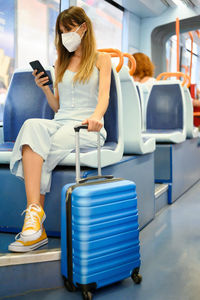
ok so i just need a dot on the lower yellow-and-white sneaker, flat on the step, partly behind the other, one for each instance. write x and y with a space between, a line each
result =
23 246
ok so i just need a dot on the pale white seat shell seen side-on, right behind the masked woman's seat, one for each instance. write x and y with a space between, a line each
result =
134 141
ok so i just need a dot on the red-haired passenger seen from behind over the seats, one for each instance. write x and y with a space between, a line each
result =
144 69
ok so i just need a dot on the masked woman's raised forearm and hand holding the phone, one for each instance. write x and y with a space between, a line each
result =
53 99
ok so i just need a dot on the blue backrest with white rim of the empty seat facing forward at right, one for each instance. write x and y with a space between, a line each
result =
165 107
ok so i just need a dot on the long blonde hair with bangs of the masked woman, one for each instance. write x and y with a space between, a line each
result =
71 17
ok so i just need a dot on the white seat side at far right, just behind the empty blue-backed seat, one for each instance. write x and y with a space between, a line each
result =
191 131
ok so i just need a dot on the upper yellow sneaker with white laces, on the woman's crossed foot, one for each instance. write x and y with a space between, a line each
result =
34 218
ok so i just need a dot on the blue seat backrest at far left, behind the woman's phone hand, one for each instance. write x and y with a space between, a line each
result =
24 100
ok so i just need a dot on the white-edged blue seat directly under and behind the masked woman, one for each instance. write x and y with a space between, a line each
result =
112 150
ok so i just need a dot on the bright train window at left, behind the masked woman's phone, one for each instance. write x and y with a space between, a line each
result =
26 33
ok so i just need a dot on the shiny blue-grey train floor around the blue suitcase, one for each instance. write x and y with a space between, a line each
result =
170 252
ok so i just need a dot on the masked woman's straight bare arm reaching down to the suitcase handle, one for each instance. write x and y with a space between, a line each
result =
104 66
